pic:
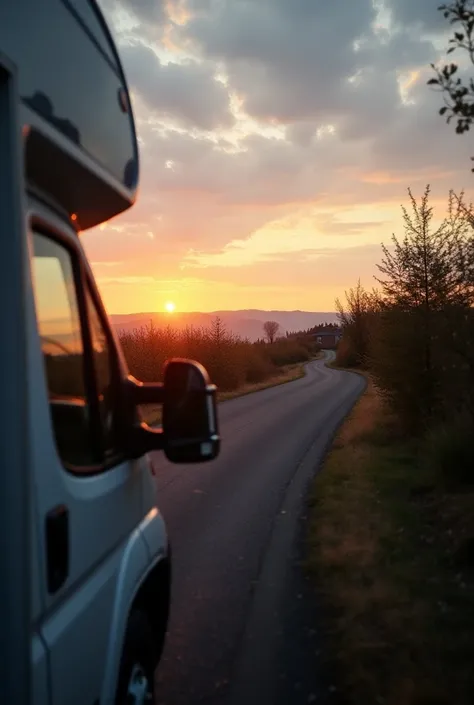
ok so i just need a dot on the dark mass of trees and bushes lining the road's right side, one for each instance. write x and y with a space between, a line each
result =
415 331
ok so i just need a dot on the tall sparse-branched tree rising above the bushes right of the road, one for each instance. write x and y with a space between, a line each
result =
425 282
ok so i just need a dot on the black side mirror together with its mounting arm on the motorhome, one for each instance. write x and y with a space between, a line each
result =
189 432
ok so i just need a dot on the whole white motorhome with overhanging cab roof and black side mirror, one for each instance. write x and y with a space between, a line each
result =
78 495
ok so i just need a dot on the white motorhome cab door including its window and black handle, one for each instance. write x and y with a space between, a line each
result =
87 495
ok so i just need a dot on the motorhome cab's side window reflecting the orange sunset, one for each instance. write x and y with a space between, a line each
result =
78 439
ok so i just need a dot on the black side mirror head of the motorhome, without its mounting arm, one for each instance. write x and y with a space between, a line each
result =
190 432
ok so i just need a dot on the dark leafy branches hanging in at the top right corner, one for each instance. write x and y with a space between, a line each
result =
458 94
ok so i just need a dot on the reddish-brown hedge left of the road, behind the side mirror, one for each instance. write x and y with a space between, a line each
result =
230 360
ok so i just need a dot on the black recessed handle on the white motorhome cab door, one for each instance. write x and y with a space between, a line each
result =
57 547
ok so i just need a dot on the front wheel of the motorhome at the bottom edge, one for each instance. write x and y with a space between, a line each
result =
138 662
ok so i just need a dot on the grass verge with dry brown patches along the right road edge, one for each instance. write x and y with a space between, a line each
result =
388 548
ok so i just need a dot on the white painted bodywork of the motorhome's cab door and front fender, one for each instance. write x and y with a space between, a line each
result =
82 624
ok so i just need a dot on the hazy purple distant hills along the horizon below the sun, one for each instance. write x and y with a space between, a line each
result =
246 323
